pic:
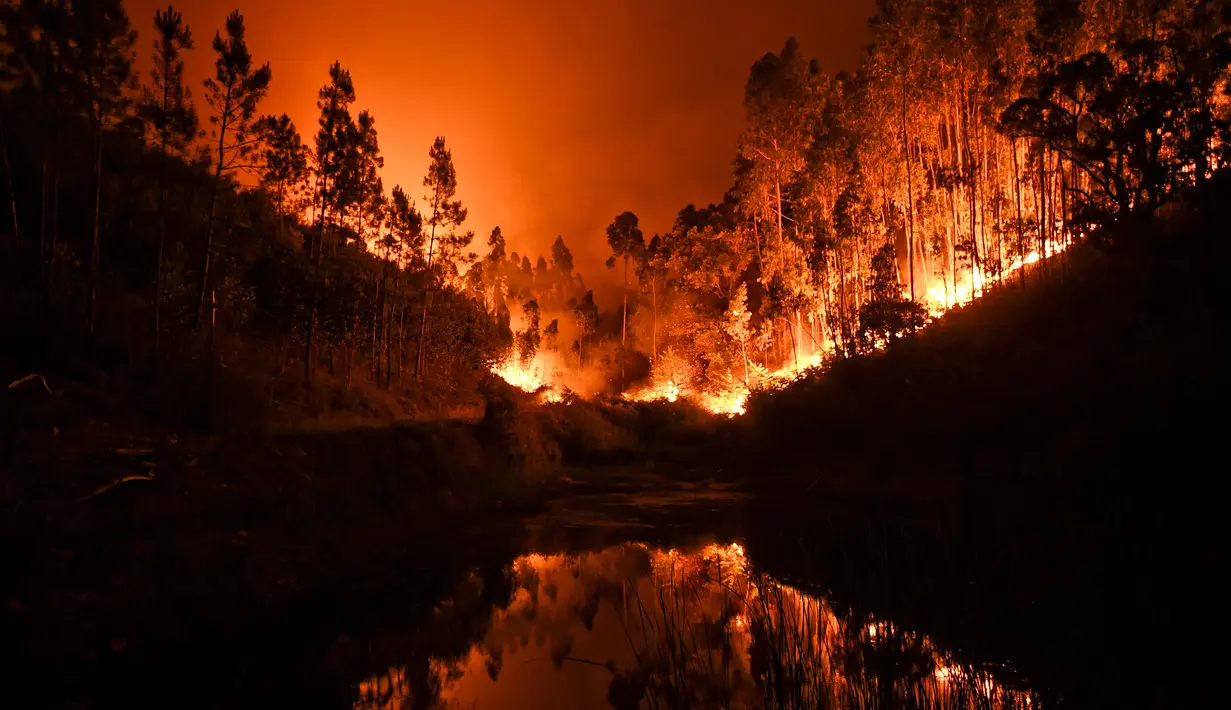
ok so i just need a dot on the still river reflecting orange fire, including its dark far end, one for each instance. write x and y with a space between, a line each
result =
649 599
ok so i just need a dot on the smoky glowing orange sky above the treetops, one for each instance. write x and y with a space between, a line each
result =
561 114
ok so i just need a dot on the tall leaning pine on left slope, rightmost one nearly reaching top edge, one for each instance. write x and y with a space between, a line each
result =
233 94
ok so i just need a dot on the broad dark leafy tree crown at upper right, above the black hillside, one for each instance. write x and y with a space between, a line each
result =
1136 122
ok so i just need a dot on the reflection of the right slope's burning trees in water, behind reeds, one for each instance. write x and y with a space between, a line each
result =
800 653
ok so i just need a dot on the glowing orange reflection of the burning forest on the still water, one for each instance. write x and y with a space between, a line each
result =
632 627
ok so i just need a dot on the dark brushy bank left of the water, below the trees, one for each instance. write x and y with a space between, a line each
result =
129 544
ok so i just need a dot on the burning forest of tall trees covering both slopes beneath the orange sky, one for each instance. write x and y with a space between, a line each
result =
156 228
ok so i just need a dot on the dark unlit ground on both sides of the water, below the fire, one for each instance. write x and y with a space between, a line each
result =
1031 482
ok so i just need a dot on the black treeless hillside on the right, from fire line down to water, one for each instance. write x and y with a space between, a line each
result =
1030 478
